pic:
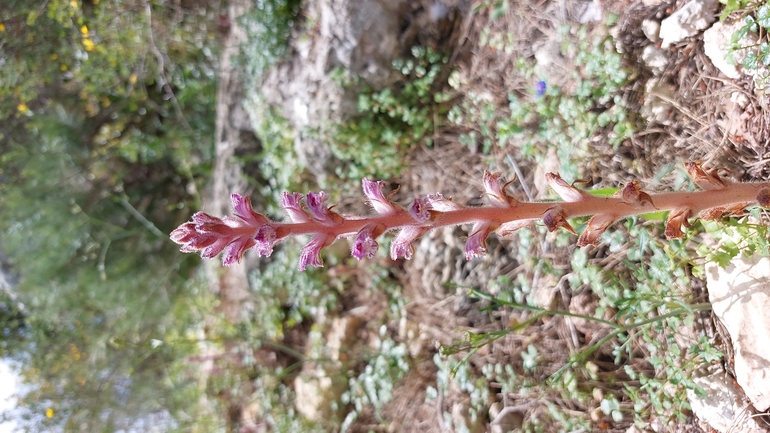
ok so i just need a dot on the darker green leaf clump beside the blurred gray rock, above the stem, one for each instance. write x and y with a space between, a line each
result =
390 121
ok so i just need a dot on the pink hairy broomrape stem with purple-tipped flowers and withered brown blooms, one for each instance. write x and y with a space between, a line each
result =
309 214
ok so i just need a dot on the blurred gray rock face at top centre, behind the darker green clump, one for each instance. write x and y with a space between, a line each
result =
354 38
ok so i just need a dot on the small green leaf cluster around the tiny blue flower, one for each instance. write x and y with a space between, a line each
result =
547 116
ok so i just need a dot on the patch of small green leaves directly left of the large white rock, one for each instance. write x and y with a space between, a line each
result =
646 296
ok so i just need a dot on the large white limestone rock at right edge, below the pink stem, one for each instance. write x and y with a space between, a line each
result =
740 295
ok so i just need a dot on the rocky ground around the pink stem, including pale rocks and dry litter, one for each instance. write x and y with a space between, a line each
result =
696 106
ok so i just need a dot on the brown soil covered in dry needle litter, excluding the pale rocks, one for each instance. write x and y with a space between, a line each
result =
439 311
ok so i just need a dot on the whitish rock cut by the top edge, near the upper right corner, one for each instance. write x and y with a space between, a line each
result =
695 16
